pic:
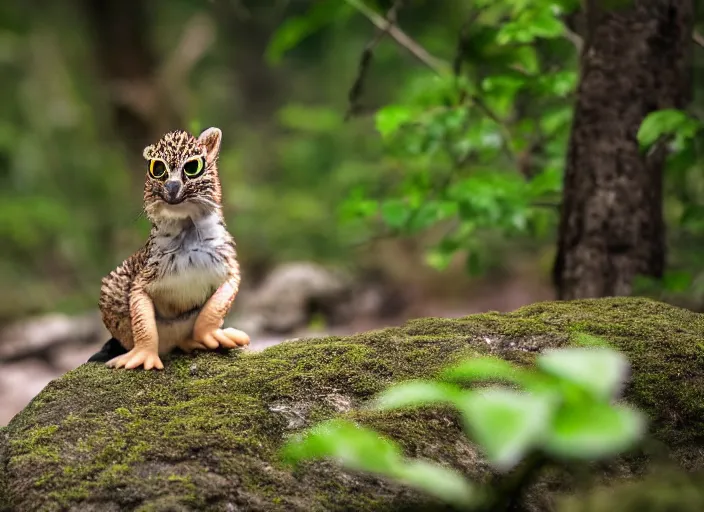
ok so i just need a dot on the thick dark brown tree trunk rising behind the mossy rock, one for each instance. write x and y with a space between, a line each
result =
635 60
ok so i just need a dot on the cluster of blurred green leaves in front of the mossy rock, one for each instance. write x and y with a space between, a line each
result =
562 409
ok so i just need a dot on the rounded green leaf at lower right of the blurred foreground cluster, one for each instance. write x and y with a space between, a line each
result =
594 430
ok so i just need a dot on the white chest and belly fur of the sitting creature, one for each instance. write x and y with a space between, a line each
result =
190 265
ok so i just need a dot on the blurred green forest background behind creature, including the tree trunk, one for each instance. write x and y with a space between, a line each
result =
445 145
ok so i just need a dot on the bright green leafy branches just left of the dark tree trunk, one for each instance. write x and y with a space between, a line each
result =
467 142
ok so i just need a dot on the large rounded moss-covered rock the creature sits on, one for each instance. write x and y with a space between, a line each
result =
204 433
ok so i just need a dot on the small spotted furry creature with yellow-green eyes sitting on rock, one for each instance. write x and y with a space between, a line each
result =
176 290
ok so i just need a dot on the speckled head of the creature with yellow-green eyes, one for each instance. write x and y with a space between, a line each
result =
182 176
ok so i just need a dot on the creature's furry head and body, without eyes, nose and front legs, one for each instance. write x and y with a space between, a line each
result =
189 252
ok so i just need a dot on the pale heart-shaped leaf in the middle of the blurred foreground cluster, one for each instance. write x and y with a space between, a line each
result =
506 424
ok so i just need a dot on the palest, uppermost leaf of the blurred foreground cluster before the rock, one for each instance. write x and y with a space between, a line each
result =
599 371
